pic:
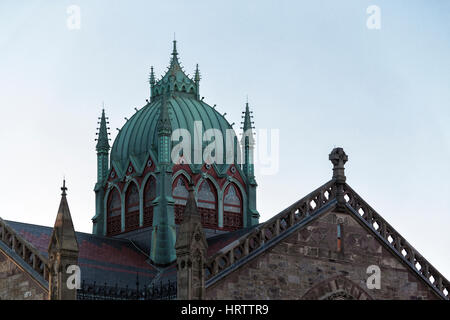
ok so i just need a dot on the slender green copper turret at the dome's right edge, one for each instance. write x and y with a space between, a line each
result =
248 146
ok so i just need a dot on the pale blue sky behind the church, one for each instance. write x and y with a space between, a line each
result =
311 69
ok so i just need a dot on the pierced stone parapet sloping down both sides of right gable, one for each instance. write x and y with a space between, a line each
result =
322 200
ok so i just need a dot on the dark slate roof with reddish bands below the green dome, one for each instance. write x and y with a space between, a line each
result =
115 260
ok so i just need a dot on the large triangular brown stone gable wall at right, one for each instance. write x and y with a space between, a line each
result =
307 265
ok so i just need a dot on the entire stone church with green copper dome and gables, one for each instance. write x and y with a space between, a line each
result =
177 218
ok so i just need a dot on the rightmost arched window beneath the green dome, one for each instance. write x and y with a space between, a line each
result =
232 208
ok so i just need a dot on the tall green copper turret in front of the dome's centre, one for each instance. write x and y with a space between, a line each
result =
164 232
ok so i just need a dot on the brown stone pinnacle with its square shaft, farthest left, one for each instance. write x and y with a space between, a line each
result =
62 254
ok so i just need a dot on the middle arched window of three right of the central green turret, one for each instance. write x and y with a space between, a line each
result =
207 204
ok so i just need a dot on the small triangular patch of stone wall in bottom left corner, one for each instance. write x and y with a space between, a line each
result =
16 284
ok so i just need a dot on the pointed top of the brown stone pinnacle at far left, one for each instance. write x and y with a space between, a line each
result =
63 235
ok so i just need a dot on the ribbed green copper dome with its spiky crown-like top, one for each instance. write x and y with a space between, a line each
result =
138 138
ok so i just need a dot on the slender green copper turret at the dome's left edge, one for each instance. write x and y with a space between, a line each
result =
102 148
